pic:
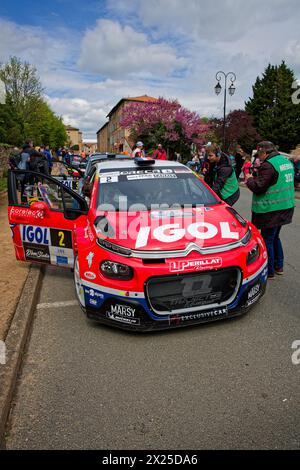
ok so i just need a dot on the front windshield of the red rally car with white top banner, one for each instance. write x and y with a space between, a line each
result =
151 188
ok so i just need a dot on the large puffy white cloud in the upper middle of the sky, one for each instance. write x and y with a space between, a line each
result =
112 50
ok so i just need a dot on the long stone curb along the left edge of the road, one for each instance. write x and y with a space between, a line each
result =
15 343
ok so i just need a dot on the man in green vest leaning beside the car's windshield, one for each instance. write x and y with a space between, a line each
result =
225 183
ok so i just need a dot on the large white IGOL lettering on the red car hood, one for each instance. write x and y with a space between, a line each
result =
169 233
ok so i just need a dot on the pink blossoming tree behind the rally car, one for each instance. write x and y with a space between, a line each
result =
165 122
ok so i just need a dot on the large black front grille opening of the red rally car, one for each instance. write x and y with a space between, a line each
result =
191 292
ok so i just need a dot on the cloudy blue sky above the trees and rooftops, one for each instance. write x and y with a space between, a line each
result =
91 53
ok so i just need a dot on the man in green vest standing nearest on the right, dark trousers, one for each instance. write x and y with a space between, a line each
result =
273 201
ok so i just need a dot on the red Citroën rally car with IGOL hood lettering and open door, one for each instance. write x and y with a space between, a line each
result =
152 246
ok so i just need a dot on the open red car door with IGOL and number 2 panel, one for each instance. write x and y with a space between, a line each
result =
43 214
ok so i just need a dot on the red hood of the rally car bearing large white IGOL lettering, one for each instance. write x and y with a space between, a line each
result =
166 230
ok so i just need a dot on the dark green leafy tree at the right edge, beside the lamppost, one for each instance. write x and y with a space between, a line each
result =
275 117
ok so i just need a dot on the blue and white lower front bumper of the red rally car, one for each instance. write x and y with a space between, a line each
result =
130 313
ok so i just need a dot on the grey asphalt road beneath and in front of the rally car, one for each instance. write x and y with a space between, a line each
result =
226 385
